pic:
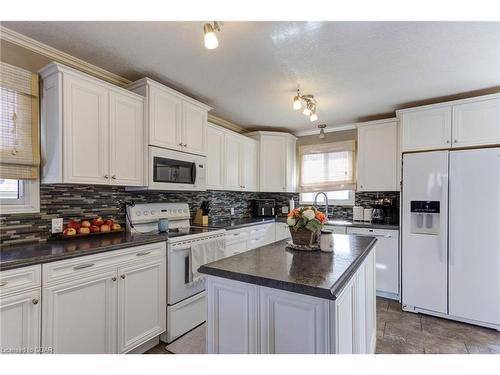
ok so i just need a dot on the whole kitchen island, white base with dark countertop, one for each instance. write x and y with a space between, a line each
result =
276 300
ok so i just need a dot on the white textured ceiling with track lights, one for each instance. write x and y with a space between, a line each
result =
354 69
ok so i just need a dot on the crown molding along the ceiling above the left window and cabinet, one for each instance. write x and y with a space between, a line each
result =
61 57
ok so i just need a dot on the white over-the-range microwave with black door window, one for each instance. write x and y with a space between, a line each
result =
174 170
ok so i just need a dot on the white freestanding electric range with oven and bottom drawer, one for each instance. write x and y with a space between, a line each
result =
186 301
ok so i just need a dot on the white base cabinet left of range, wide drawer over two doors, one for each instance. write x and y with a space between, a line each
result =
105 303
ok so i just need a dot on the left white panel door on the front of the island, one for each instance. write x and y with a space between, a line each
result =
232 317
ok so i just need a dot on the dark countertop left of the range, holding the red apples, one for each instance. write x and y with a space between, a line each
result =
30 254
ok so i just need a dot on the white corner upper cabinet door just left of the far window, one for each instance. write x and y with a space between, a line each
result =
272 163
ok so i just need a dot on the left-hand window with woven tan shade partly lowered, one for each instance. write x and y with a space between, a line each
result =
19 140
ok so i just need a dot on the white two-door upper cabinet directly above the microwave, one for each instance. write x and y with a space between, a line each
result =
174 120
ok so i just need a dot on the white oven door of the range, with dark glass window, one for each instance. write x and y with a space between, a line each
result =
179 270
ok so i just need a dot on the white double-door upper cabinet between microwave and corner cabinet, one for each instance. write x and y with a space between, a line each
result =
231 160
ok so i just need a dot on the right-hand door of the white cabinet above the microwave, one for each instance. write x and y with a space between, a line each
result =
194 129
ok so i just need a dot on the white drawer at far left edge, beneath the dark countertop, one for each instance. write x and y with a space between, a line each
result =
18 279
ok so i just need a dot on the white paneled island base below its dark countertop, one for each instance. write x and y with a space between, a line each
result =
246 318
